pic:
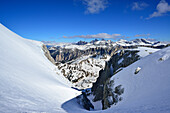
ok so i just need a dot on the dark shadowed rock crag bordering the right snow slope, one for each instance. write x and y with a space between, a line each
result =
102 89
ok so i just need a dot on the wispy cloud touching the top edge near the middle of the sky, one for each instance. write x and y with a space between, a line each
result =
95 6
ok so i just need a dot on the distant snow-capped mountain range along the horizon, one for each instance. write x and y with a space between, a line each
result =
106 43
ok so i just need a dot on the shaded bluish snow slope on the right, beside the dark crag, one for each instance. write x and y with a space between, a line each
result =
148 90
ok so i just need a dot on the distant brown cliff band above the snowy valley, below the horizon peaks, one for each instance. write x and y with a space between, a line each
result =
65 55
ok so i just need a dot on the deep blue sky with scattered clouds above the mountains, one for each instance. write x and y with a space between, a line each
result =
73 20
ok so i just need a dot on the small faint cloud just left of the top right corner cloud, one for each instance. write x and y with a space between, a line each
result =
139 5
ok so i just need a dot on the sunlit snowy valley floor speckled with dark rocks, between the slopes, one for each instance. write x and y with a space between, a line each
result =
84 71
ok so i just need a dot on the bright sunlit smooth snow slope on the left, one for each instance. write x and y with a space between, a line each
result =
28 82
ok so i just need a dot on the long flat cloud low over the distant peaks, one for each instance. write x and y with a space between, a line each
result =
100 35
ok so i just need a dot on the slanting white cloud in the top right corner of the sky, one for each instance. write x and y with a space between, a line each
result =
162 8
